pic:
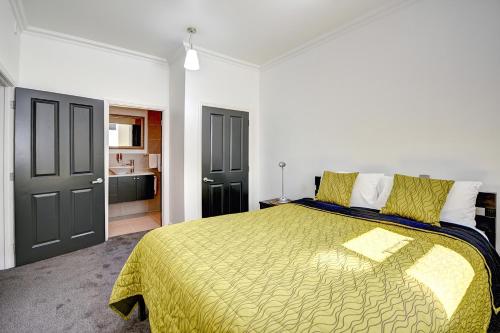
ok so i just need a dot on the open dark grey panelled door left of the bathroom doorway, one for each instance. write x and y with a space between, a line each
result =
59 167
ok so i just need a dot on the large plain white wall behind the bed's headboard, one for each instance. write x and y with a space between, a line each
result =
416 92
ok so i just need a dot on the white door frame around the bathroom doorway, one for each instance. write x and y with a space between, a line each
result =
165 195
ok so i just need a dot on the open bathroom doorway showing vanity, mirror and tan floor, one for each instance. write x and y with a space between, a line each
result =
135 170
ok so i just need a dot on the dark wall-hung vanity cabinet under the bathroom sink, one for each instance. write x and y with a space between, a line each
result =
131 188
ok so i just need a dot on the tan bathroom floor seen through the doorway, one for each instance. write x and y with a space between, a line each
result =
134 223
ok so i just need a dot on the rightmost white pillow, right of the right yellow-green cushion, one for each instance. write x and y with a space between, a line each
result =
460 205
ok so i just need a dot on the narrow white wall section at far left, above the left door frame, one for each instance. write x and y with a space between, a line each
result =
9 42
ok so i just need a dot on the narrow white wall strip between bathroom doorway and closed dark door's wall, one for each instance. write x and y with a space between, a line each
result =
176 135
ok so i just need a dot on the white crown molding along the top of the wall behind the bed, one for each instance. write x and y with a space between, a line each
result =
344 29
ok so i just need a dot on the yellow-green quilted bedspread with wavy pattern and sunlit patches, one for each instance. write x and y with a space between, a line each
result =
296 269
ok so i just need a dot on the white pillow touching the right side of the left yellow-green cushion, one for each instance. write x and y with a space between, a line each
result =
364 191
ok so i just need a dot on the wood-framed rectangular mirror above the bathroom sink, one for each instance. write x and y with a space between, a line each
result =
126 132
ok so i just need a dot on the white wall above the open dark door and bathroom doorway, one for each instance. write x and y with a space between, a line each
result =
60 66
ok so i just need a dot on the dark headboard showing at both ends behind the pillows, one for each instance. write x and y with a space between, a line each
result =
485 200
